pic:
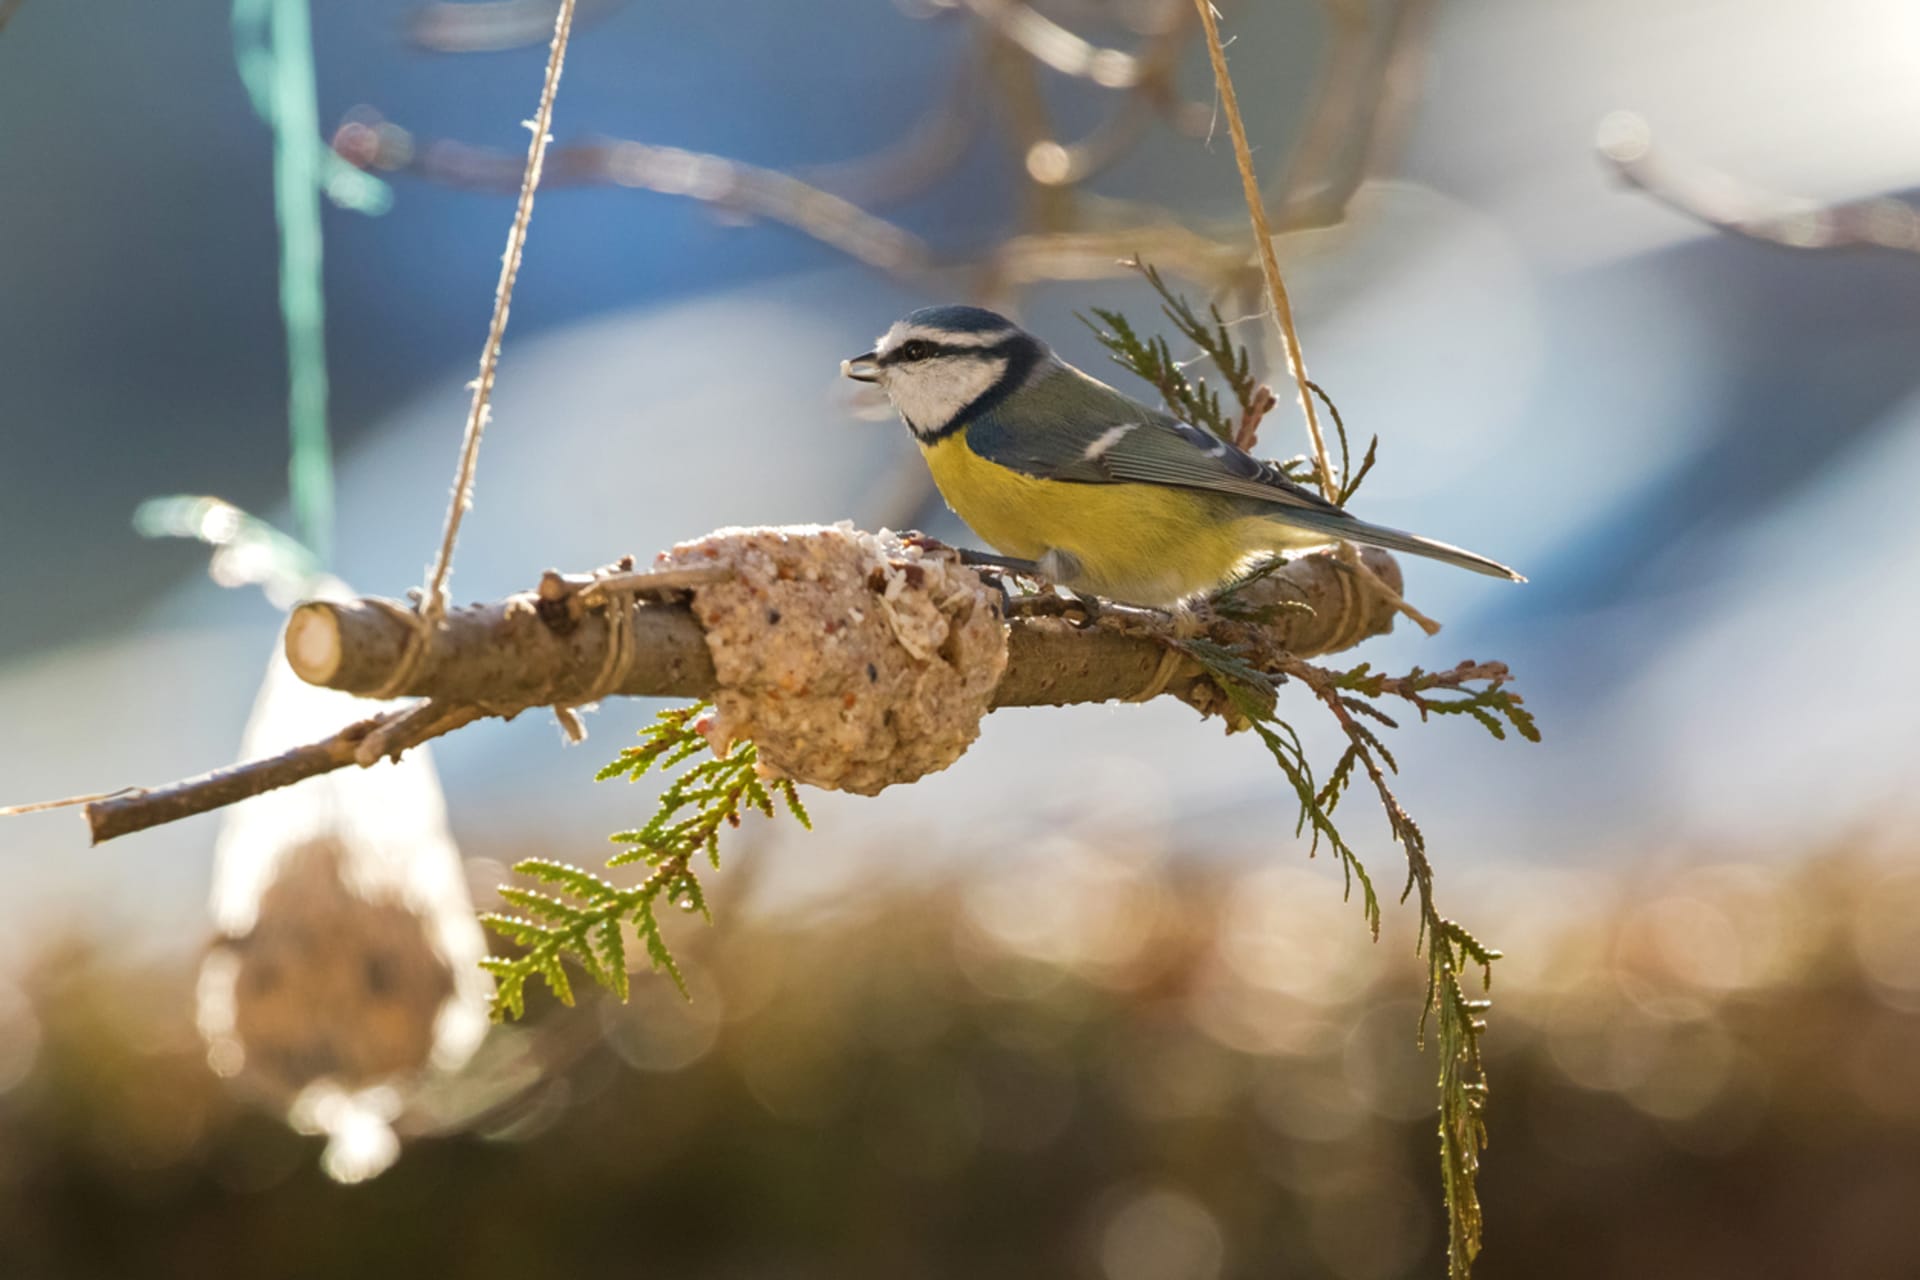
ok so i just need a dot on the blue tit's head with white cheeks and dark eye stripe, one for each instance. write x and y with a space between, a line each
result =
946 366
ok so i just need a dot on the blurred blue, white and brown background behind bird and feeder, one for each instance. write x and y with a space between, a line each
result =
1631 293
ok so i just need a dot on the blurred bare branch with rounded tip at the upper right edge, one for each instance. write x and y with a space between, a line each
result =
1625 143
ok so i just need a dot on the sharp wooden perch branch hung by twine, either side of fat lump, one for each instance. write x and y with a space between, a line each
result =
550 648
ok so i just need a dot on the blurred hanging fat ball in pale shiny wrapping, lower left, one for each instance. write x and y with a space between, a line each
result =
347 966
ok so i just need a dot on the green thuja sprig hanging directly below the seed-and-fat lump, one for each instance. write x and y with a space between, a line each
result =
585 916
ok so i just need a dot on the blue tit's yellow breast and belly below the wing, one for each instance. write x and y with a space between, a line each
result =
1134 542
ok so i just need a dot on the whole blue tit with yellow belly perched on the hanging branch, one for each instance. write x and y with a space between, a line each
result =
1105 494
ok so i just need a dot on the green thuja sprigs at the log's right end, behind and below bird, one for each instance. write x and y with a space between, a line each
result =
1355 699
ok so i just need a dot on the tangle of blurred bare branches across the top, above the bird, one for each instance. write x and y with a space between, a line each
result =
1063 231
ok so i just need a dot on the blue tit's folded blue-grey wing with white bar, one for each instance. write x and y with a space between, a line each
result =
1082 431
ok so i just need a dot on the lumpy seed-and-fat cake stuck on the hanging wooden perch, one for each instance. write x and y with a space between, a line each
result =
853 661
